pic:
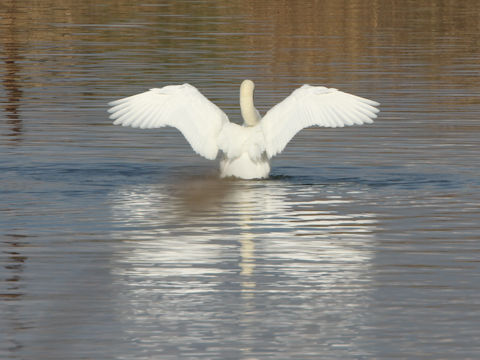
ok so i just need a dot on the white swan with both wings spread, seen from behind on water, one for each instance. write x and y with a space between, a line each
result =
248 148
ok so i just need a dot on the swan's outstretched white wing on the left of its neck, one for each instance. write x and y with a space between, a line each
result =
180 106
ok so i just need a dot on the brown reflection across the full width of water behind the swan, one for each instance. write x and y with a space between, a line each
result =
350 45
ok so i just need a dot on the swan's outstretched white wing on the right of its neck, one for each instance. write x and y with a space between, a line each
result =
309 106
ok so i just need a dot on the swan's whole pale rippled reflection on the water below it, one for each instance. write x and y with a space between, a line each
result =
264 256
